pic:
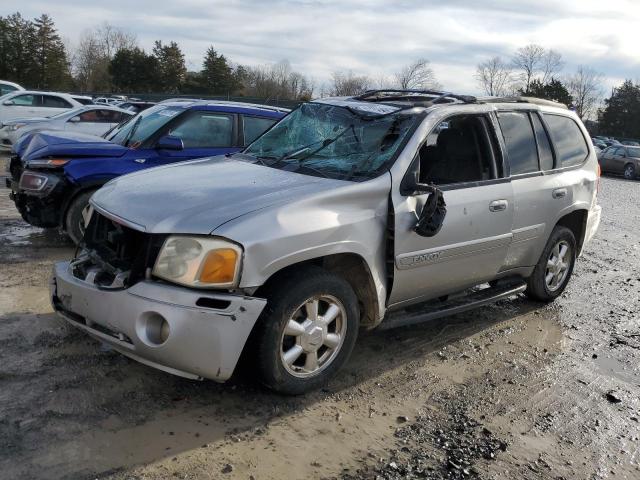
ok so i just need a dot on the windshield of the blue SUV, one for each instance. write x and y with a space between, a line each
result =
139 128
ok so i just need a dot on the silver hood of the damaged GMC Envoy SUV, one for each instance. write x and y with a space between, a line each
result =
199 196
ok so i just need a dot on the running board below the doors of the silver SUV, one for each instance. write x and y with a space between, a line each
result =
434 309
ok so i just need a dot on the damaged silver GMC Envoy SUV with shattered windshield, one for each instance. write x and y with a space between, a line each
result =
344 214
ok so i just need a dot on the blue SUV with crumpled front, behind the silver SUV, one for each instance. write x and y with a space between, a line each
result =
53 174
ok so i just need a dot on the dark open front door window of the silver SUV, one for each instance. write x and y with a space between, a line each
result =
459 150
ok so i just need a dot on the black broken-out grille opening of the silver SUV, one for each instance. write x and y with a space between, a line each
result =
114 255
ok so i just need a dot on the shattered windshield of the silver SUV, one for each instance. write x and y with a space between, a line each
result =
333 141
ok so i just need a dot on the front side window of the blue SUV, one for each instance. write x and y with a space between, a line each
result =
205 130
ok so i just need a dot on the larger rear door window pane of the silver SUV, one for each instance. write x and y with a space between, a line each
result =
520 142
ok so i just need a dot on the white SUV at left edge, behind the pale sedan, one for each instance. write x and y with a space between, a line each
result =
30 103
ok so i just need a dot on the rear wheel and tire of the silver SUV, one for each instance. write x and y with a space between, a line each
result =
547 282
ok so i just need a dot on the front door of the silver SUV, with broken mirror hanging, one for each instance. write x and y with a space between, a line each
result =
461 157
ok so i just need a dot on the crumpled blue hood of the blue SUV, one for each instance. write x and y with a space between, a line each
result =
47 143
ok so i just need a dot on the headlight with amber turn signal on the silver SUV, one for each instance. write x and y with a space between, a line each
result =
199 262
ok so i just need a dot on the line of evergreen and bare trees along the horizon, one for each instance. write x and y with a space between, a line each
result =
109 59
